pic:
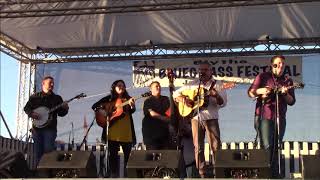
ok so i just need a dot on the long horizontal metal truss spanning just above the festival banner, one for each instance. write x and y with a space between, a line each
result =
149 52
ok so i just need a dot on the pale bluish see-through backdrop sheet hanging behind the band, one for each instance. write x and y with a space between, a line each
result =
95 78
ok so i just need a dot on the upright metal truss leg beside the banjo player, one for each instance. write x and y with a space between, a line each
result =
26 87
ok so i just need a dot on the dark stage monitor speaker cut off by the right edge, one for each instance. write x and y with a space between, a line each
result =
310 166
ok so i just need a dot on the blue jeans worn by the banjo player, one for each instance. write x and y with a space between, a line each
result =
44 141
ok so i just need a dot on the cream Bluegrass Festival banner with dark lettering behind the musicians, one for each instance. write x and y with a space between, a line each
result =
238 69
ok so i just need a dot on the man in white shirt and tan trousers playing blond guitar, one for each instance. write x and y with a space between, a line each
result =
201 99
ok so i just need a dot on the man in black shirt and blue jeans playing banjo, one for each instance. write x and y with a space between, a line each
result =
44 136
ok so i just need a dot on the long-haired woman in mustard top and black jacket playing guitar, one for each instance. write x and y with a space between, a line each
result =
116 108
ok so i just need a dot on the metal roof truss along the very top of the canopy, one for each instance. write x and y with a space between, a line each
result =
41 8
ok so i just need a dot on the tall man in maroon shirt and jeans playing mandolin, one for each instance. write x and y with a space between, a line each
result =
265 88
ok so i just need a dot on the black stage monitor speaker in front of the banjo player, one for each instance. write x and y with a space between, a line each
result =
68 164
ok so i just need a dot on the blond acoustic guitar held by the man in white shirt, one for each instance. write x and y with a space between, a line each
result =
191 94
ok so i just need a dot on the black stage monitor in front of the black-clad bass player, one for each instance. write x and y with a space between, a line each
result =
154 164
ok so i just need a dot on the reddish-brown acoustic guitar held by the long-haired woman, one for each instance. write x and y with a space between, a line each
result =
112 110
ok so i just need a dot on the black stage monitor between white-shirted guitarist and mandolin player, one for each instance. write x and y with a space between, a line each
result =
240 164
